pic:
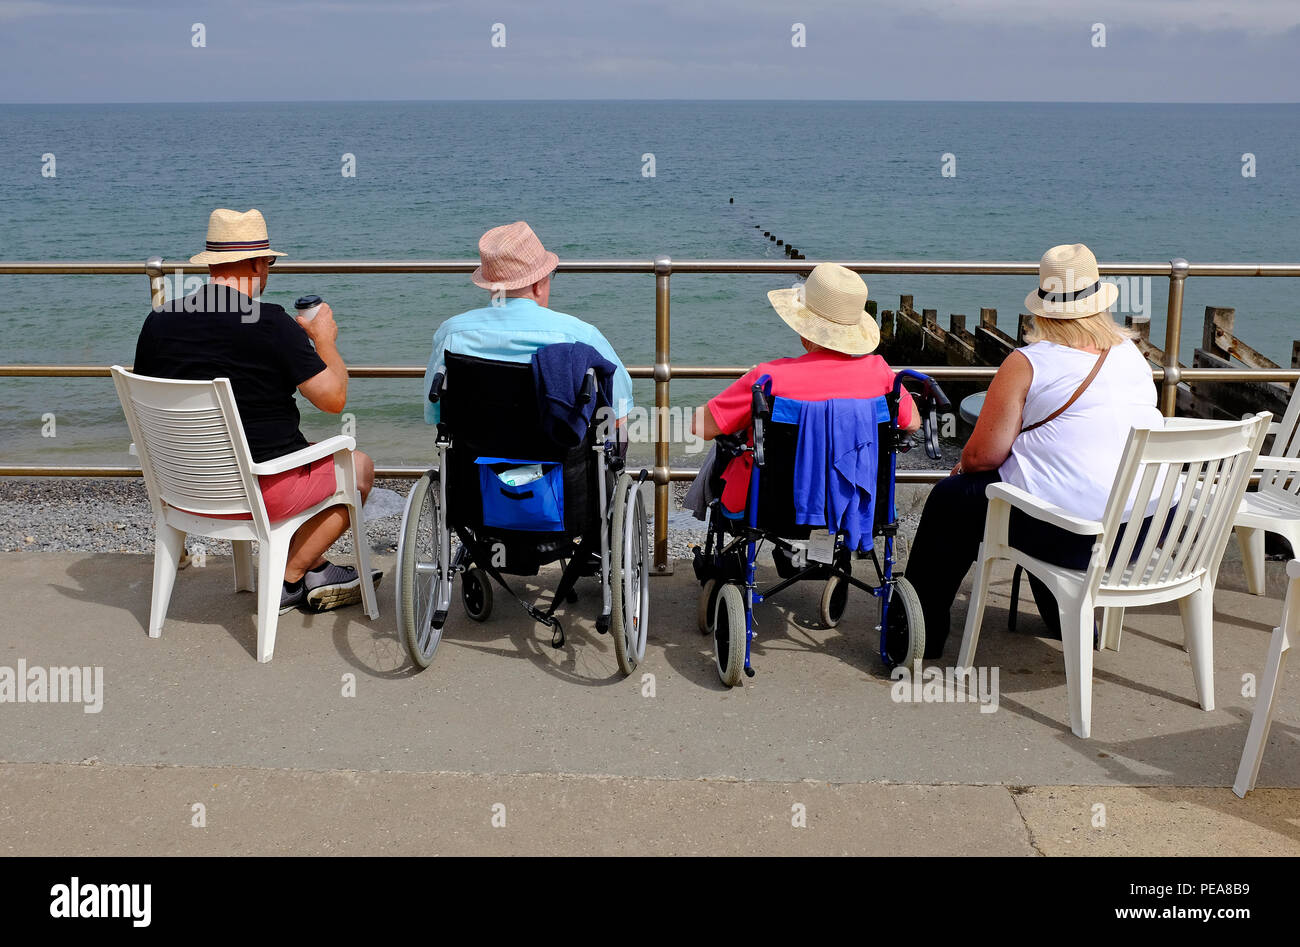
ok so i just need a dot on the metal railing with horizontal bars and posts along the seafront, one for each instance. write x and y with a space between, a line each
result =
662 373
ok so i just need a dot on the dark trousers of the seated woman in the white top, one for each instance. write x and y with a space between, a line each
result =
947 543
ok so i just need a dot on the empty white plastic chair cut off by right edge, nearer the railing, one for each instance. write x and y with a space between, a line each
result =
1276 507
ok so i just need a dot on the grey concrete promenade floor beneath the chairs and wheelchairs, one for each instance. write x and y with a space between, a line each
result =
340 747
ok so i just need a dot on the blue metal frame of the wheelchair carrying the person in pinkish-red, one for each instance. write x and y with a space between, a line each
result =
930 401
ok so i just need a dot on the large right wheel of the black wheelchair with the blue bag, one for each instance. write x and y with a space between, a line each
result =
630 574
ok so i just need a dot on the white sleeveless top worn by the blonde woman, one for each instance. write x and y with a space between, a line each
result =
1072 461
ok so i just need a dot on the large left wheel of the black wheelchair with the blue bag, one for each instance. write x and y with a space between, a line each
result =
424 577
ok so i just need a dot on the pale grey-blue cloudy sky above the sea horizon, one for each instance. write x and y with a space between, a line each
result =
116 51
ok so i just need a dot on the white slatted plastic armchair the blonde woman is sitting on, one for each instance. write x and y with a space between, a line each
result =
1202 470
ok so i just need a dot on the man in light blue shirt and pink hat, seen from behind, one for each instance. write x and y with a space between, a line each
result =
518 270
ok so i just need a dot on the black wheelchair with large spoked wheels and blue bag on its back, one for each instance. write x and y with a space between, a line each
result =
465 518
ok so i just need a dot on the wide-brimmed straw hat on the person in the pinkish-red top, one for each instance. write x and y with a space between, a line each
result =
830 310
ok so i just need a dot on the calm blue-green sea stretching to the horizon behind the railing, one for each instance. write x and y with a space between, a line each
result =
613 180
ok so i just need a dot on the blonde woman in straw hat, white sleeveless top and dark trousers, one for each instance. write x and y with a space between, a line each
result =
1055 423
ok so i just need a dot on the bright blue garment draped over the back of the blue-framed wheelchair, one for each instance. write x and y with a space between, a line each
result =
835 468
